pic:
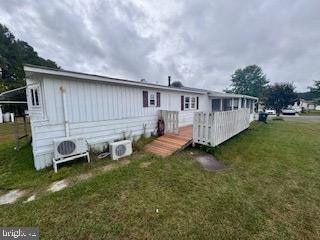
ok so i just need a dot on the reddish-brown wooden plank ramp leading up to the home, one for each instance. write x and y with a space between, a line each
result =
170 143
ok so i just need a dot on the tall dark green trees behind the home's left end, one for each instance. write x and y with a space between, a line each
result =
13 54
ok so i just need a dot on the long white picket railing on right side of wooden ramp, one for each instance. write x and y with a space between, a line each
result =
213 128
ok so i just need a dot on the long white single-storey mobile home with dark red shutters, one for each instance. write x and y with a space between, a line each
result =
103 109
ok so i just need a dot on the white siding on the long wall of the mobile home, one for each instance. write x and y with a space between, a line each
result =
100 112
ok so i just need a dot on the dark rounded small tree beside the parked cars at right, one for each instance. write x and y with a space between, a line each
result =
279 96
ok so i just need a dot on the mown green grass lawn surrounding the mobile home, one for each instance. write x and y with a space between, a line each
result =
270 190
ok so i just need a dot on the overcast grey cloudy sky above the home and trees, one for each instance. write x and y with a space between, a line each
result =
200 43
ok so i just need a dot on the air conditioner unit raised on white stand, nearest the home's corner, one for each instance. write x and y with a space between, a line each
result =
69 148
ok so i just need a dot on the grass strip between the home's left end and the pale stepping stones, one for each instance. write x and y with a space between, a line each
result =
17 170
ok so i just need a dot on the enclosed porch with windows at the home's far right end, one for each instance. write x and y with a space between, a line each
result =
221 102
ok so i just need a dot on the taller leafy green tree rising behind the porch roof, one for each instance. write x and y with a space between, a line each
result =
249 81
